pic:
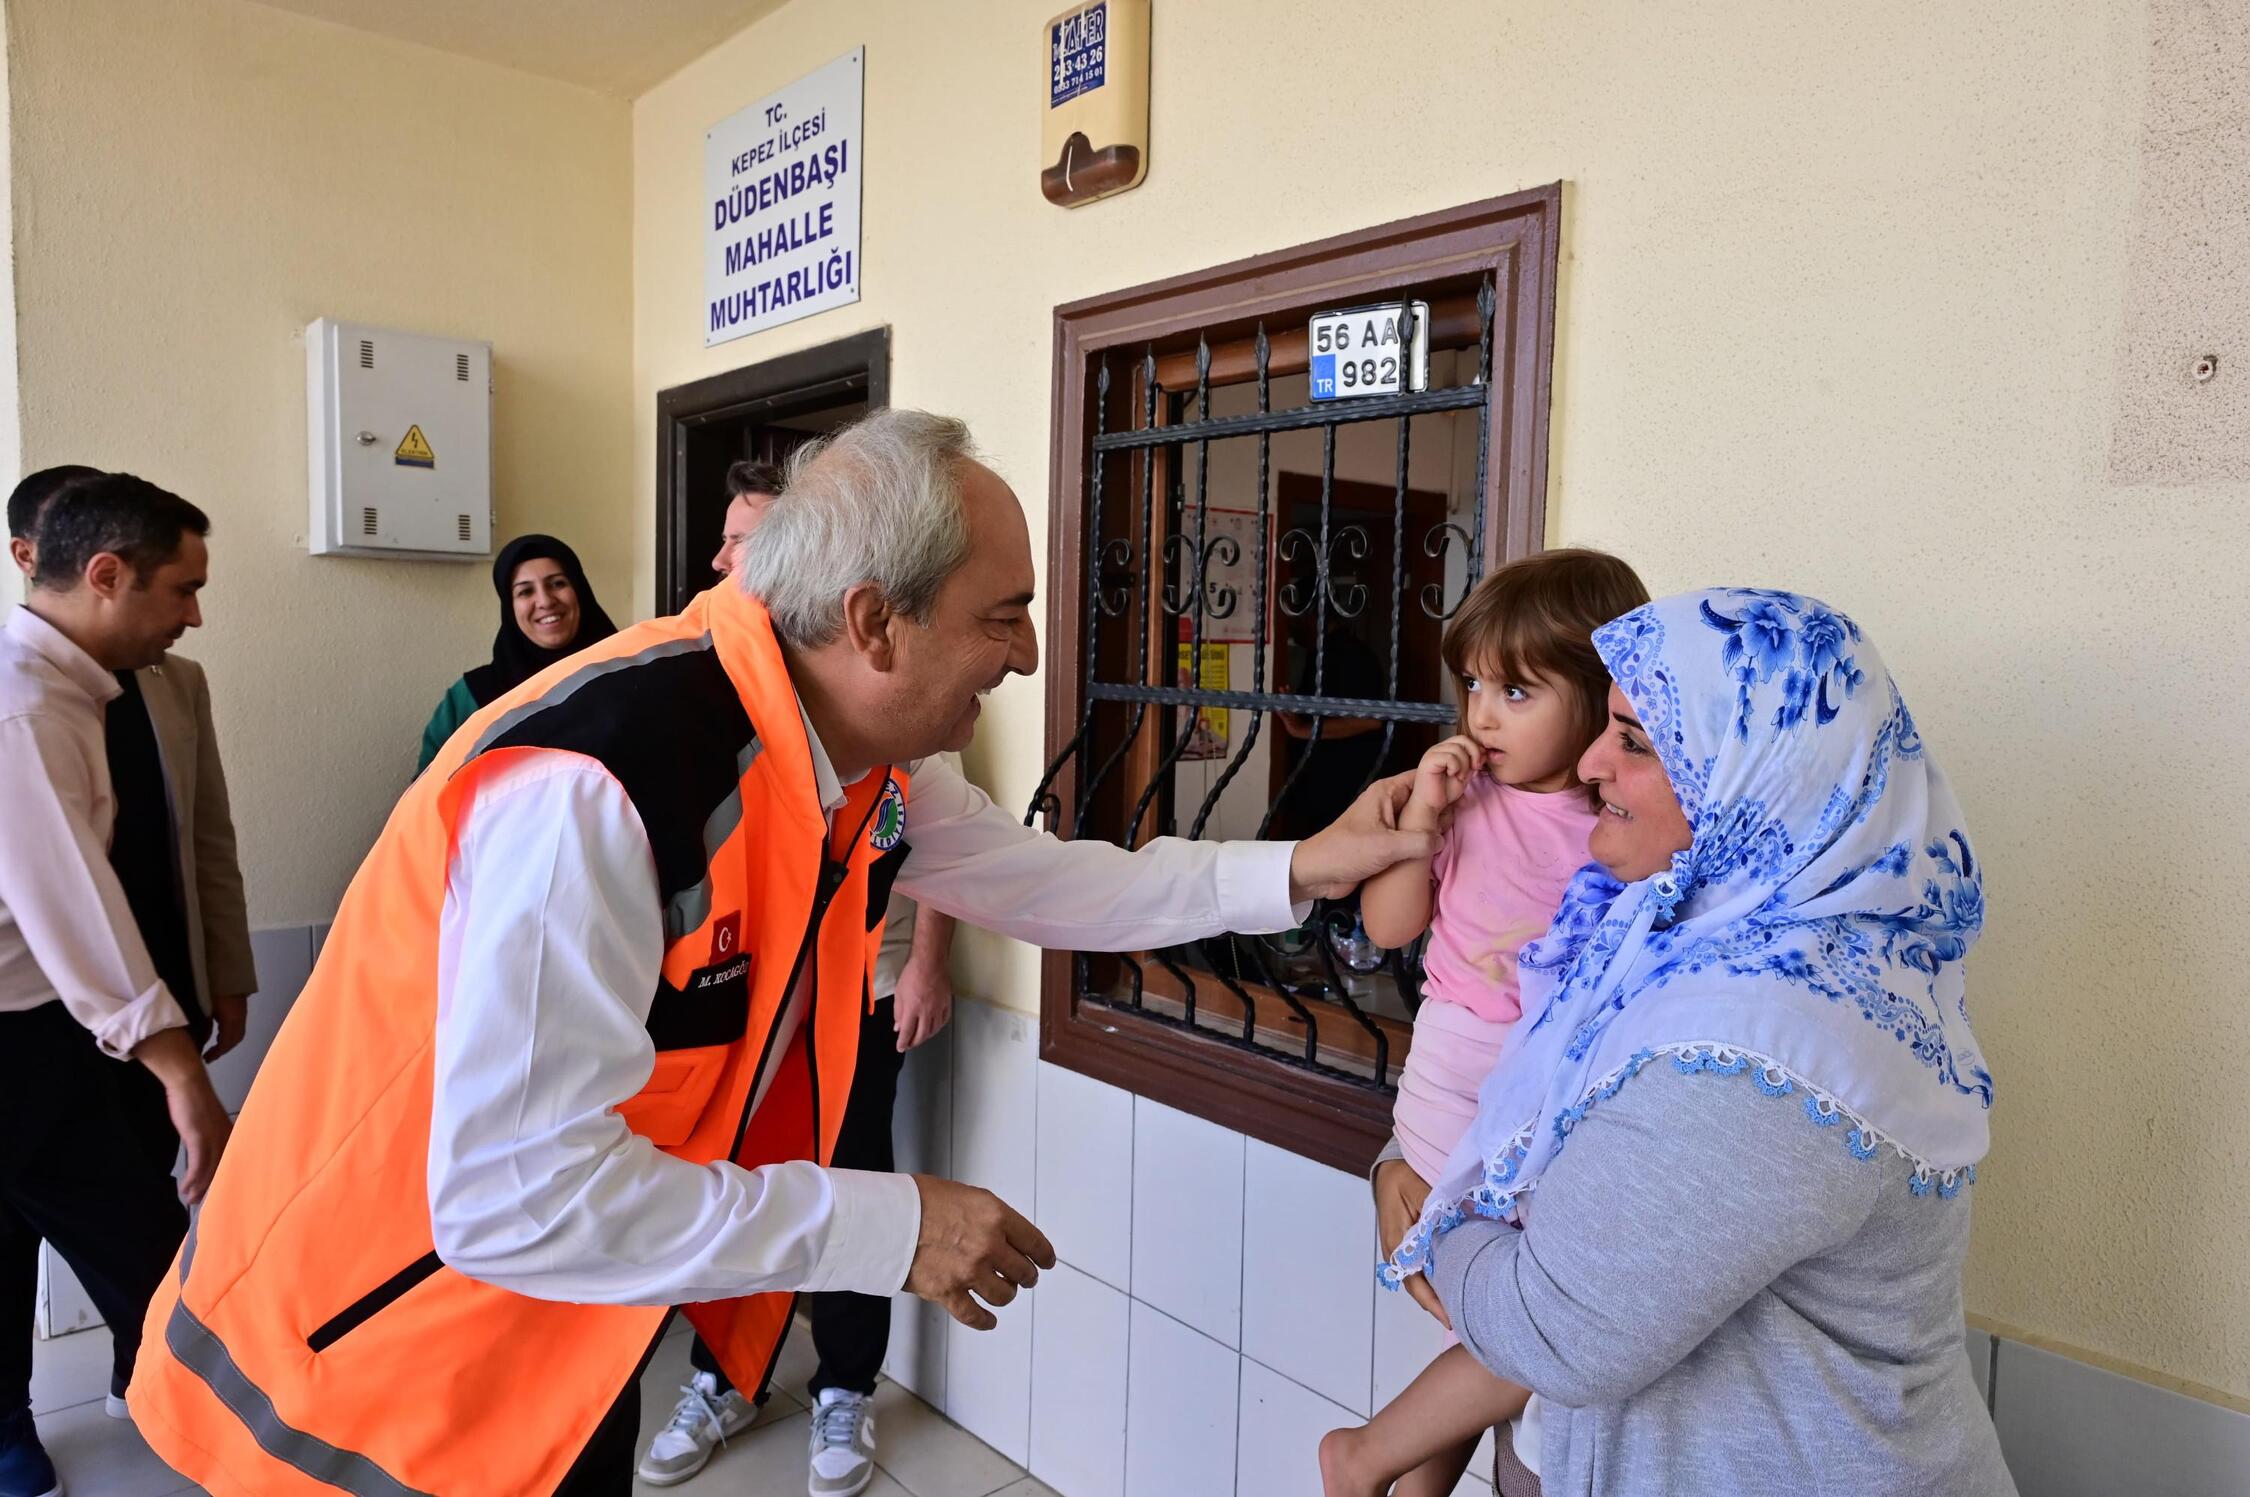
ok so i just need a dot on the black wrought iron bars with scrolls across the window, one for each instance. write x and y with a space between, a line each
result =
1142 582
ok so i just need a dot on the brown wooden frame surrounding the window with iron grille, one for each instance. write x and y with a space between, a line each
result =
1511 240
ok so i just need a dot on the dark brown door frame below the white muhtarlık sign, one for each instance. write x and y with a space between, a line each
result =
838 373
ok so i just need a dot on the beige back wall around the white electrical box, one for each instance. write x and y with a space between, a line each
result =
199 179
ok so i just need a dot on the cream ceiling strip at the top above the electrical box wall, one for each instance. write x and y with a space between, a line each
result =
611 46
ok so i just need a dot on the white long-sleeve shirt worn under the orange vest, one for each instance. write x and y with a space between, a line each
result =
550 951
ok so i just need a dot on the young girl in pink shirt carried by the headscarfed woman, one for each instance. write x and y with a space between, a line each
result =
1515 823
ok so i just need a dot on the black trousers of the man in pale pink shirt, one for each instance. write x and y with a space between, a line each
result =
87 1156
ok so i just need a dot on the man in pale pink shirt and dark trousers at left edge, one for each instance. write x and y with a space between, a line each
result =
116 586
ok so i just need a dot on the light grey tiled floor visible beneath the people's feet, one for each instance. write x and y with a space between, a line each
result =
921 1453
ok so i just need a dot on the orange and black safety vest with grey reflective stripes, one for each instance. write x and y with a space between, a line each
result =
312 1338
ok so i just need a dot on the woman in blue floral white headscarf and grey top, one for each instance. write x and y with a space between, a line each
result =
1716 1203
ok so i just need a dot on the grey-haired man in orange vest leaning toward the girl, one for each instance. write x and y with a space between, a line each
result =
577 1046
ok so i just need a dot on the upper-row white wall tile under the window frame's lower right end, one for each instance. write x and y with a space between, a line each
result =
1308 1273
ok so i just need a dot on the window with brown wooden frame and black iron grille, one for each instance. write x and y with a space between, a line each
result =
1248 595
